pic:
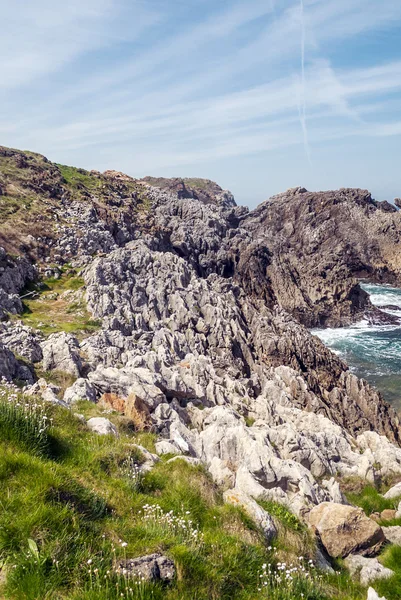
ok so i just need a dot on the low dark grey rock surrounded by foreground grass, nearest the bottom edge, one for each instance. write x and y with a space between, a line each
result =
153 567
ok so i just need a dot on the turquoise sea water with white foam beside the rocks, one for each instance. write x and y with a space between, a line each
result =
372 351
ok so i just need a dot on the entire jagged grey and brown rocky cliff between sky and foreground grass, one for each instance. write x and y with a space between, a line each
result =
202 306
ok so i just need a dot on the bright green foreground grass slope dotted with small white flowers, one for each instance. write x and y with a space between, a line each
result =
75 502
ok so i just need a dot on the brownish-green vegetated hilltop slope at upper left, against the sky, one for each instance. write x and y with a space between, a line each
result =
31 188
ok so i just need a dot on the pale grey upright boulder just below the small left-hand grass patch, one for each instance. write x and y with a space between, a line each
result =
61 353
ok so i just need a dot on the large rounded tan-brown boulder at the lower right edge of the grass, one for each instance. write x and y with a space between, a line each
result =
345 530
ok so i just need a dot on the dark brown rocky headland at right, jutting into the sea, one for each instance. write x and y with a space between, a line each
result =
321 244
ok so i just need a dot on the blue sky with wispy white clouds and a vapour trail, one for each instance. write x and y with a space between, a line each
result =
259 96
